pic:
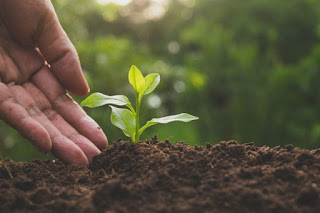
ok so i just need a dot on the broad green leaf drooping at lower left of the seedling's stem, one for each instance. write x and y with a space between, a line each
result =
125 120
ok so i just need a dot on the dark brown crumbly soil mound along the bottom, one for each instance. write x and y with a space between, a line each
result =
157 176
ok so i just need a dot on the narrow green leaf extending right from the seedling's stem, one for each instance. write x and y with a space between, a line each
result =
184 117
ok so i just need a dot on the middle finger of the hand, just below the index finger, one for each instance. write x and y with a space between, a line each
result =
44 105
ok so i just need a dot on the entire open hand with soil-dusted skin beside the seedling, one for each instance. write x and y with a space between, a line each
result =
38 65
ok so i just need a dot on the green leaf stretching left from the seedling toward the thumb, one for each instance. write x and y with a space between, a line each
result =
99 99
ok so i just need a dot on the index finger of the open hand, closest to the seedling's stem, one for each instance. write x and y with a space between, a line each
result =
68 109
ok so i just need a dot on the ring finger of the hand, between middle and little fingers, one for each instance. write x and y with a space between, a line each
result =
62 147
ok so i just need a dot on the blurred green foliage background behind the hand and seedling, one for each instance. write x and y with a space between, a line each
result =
249 69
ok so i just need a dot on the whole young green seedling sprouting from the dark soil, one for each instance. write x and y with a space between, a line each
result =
128 120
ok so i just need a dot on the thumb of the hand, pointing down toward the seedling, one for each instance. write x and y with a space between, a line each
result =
59 52
